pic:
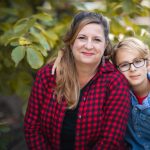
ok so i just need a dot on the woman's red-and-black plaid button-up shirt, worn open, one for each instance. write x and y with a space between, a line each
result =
102 114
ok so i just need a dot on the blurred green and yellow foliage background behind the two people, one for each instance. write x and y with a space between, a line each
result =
31 32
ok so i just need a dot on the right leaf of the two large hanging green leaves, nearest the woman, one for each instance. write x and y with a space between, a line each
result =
34 58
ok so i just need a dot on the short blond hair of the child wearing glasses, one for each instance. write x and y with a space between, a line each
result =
131 44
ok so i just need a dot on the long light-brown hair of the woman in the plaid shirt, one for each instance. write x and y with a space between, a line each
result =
67 83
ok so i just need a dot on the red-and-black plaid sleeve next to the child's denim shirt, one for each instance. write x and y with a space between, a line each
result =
116 111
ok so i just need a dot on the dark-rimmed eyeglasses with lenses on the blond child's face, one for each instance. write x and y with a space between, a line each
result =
137 63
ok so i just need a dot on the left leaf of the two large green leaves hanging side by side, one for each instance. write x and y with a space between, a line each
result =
18 54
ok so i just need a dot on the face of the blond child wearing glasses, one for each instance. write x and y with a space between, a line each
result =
135 76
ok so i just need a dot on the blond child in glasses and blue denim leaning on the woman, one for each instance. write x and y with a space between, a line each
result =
131 57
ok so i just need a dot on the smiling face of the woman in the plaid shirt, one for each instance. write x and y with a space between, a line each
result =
89 45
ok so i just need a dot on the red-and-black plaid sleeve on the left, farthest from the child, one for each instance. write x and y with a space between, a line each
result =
33 135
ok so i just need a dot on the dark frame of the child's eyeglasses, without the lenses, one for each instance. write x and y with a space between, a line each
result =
132 63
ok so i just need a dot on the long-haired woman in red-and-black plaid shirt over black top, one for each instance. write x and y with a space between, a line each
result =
85 105
